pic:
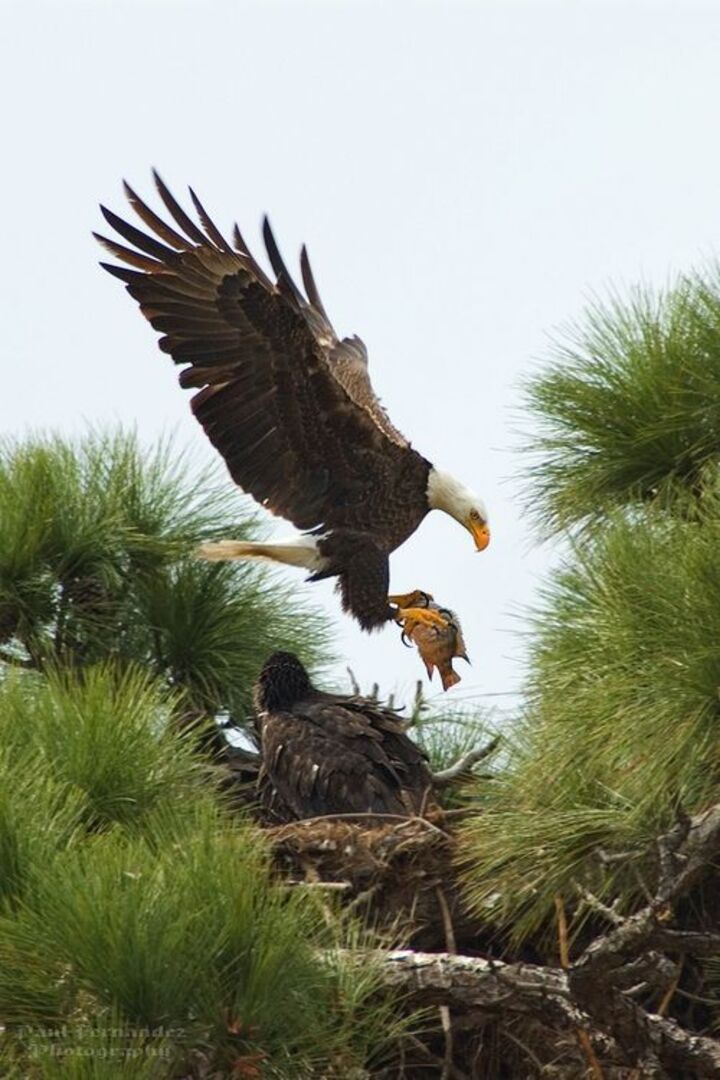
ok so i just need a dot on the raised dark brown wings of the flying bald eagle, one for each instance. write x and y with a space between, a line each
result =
288 404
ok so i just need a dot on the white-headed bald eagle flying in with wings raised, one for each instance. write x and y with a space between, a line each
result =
288 404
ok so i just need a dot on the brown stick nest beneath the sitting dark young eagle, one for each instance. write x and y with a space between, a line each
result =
398 873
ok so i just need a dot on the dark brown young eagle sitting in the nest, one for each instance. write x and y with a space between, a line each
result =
329 753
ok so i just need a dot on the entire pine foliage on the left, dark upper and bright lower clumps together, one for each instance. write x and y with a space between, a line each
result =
143 933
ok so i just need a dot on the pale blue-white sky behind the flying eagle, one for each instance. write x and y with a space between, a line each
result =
465 175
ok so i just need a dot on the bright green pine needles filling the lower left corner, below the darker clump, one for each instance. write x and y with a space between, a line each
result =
134 903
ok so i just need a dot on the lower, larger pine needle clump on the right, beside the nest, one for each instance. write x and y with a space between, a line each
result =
622 721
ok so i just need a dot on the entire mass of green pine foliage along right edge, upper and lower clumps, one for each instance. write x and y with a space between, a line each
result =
623 710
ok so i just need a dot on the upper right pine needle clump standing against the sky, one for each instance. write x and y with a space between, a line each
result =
630 411
